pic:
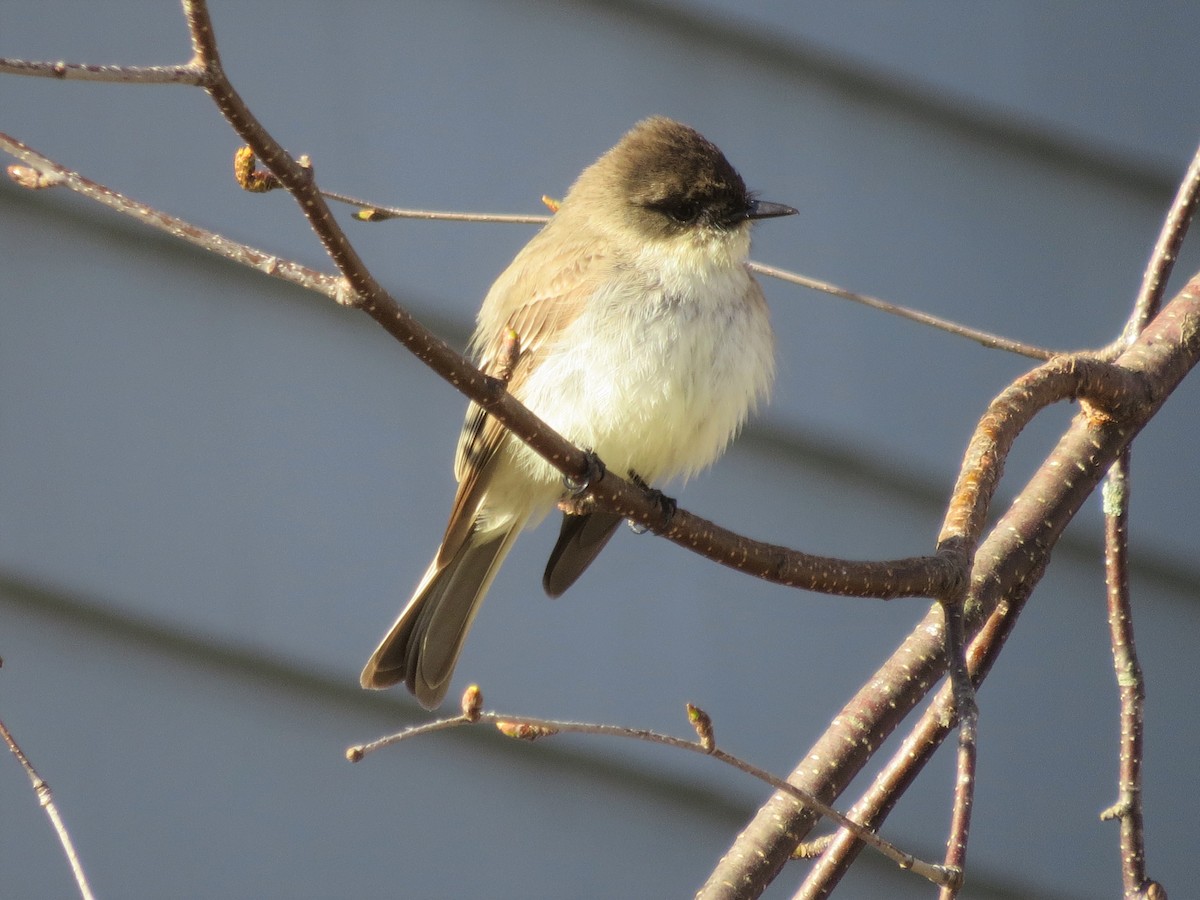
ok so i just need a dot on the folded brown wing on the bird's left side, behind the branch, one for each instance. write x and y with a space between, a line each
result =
557 293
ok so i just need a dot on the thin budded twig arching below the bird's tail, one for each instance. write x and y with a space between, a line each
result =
533 728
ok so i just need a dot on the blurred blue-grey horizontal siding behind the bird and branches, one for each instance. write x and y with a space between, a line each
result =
217 490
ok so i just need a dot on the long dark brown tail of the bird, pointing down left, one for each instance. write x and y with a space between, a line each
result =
424 645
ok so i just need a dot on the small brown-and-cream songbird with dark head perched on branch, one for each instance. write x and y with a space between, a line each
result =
631 326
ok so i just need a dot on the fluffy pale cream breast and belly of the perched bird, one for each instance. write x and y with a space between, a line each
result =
658 381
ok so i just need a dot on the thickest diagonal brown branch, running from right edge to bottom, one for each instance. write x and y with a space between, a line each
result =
1010 563
